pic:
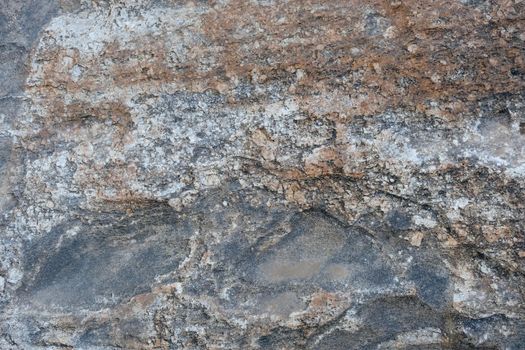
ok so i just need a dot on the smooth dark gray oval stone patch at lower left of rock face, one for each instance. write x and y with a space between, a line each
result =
103 262
